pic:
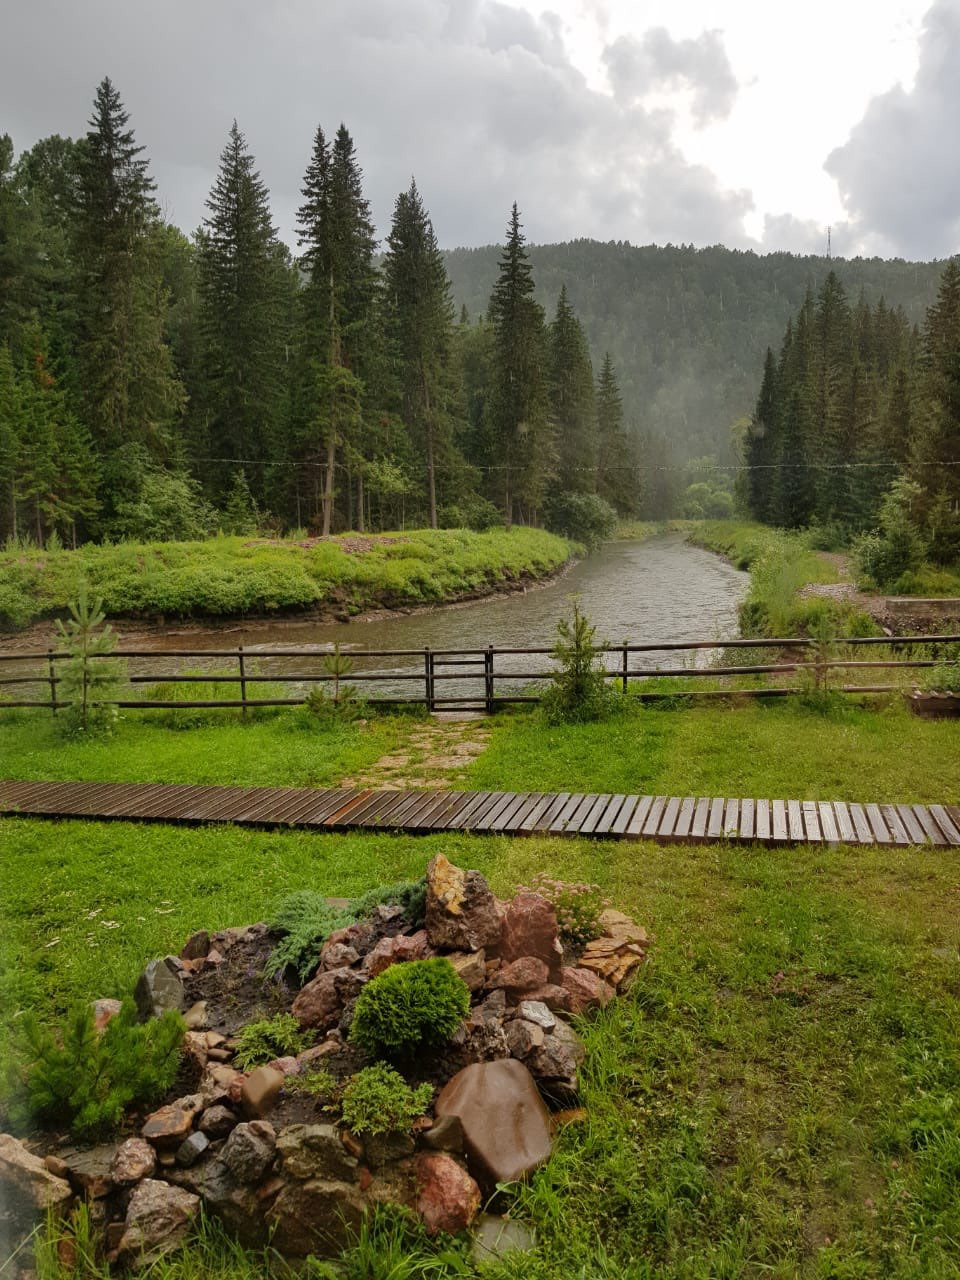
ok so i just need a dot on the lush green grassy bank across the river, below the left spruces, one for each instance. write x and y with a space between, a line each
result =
234 577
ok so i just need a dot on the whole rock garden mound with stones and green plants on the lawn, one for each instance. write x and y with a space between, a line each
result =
414 1048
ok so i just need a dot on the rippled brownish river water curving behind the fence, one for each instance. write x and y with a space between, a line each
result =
651 592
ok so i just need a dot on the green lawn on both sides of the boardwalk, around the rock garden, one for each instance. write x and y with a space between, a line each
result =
775 1099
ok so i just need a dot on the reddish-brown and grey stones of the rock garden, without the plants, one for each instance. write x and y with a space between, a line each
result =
307 1187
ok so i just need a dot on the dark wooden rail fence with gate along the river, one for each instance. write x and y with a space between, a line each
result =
470 679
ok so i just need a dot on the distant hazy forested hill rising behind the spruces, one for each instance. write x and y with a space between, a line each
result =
688 328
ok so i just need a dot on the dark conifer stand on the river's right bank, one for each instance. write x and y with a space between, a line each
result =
857 431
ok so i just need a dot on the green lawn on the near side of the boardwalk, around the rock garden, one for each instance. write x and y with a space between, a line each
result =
778 1099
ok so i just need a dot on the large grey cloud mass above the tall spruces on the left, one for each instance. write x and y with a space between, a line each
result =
477 98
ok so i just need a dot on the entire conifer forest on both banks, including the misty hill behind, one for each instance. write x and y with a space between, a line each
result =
162 386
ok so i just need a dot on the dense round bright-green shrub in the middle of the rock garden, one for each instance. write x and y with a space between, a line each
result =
409 1007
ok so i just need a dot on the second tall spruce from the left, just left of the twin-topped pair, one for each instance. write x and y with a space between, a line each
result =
245 282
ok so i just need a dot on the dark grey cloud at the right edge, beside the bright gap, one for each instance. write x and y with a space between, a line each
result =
898 173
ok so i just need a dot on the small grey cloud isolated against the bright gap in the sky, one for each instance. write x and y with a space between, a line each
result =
656 61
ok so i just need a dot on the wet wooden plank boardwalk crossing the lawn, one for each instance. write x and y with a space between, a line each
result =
610 817
